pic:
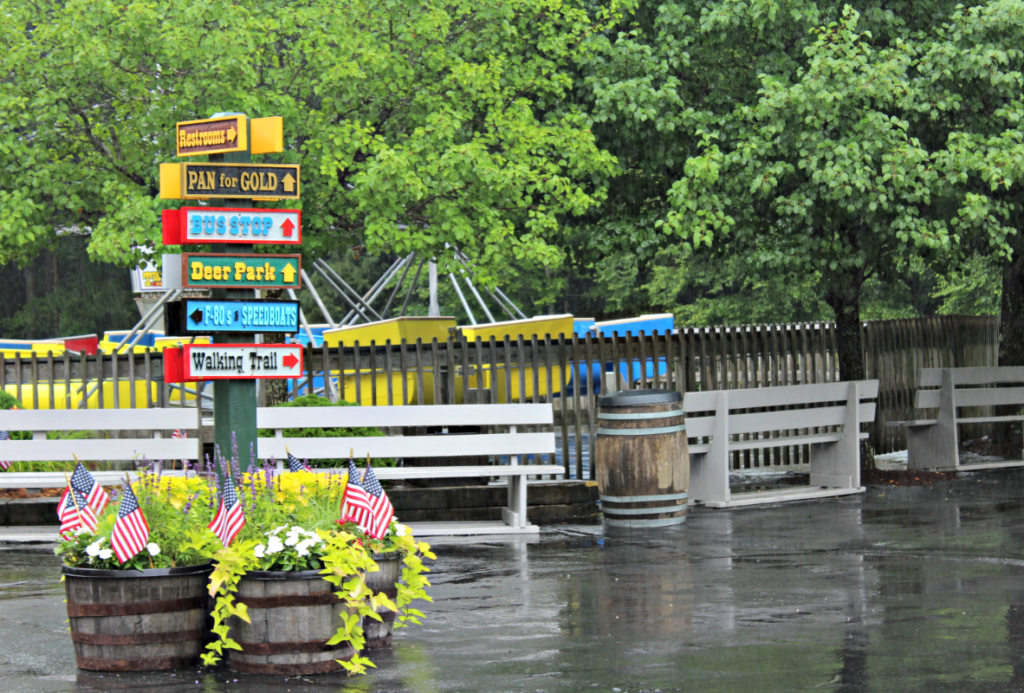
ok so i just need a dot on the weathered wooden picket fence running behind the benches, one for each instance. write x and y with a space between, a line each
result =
567 371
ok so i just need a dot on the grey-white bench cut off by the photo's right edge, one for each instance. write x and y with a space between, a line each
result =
934 444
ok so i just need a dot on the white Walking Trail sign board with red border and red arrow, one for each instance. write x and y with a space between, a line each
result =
235 362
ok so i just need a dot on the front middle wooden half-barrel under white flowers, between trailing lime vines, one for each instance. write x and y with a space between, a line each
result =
293 615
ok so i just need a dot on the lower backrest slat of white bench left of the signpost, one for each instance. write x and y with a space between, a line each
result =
100 451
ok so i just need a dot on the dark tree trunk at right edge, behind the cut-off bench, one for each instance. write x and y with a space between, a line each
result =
1007 438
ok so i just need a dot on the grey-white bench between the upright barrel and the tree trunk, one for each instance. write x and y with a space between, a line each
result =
798 411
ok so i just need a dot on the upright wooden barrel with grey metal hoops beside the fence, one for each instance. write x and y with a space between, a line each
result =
643 460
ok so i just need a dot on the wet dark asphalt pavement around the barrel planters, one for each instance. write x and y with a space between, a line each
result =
916 589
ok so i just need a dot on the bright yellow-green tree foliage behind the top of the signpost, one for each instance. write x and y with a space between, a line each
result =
418 124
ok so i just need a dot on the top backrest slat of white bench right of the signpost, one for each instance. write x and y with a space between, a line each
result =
464 415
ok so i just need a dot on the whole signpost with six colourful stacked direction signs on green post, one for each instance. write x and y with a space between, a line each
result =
233 313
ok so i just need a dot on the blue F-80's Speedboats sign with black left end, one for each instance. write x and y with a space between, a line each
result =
211 317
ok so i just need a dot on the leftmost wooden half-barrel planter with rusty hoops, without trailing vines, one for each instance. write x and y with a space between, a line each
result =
138 621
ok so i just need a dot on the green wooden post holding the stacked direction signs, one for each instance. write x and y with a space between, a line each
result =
235 401
